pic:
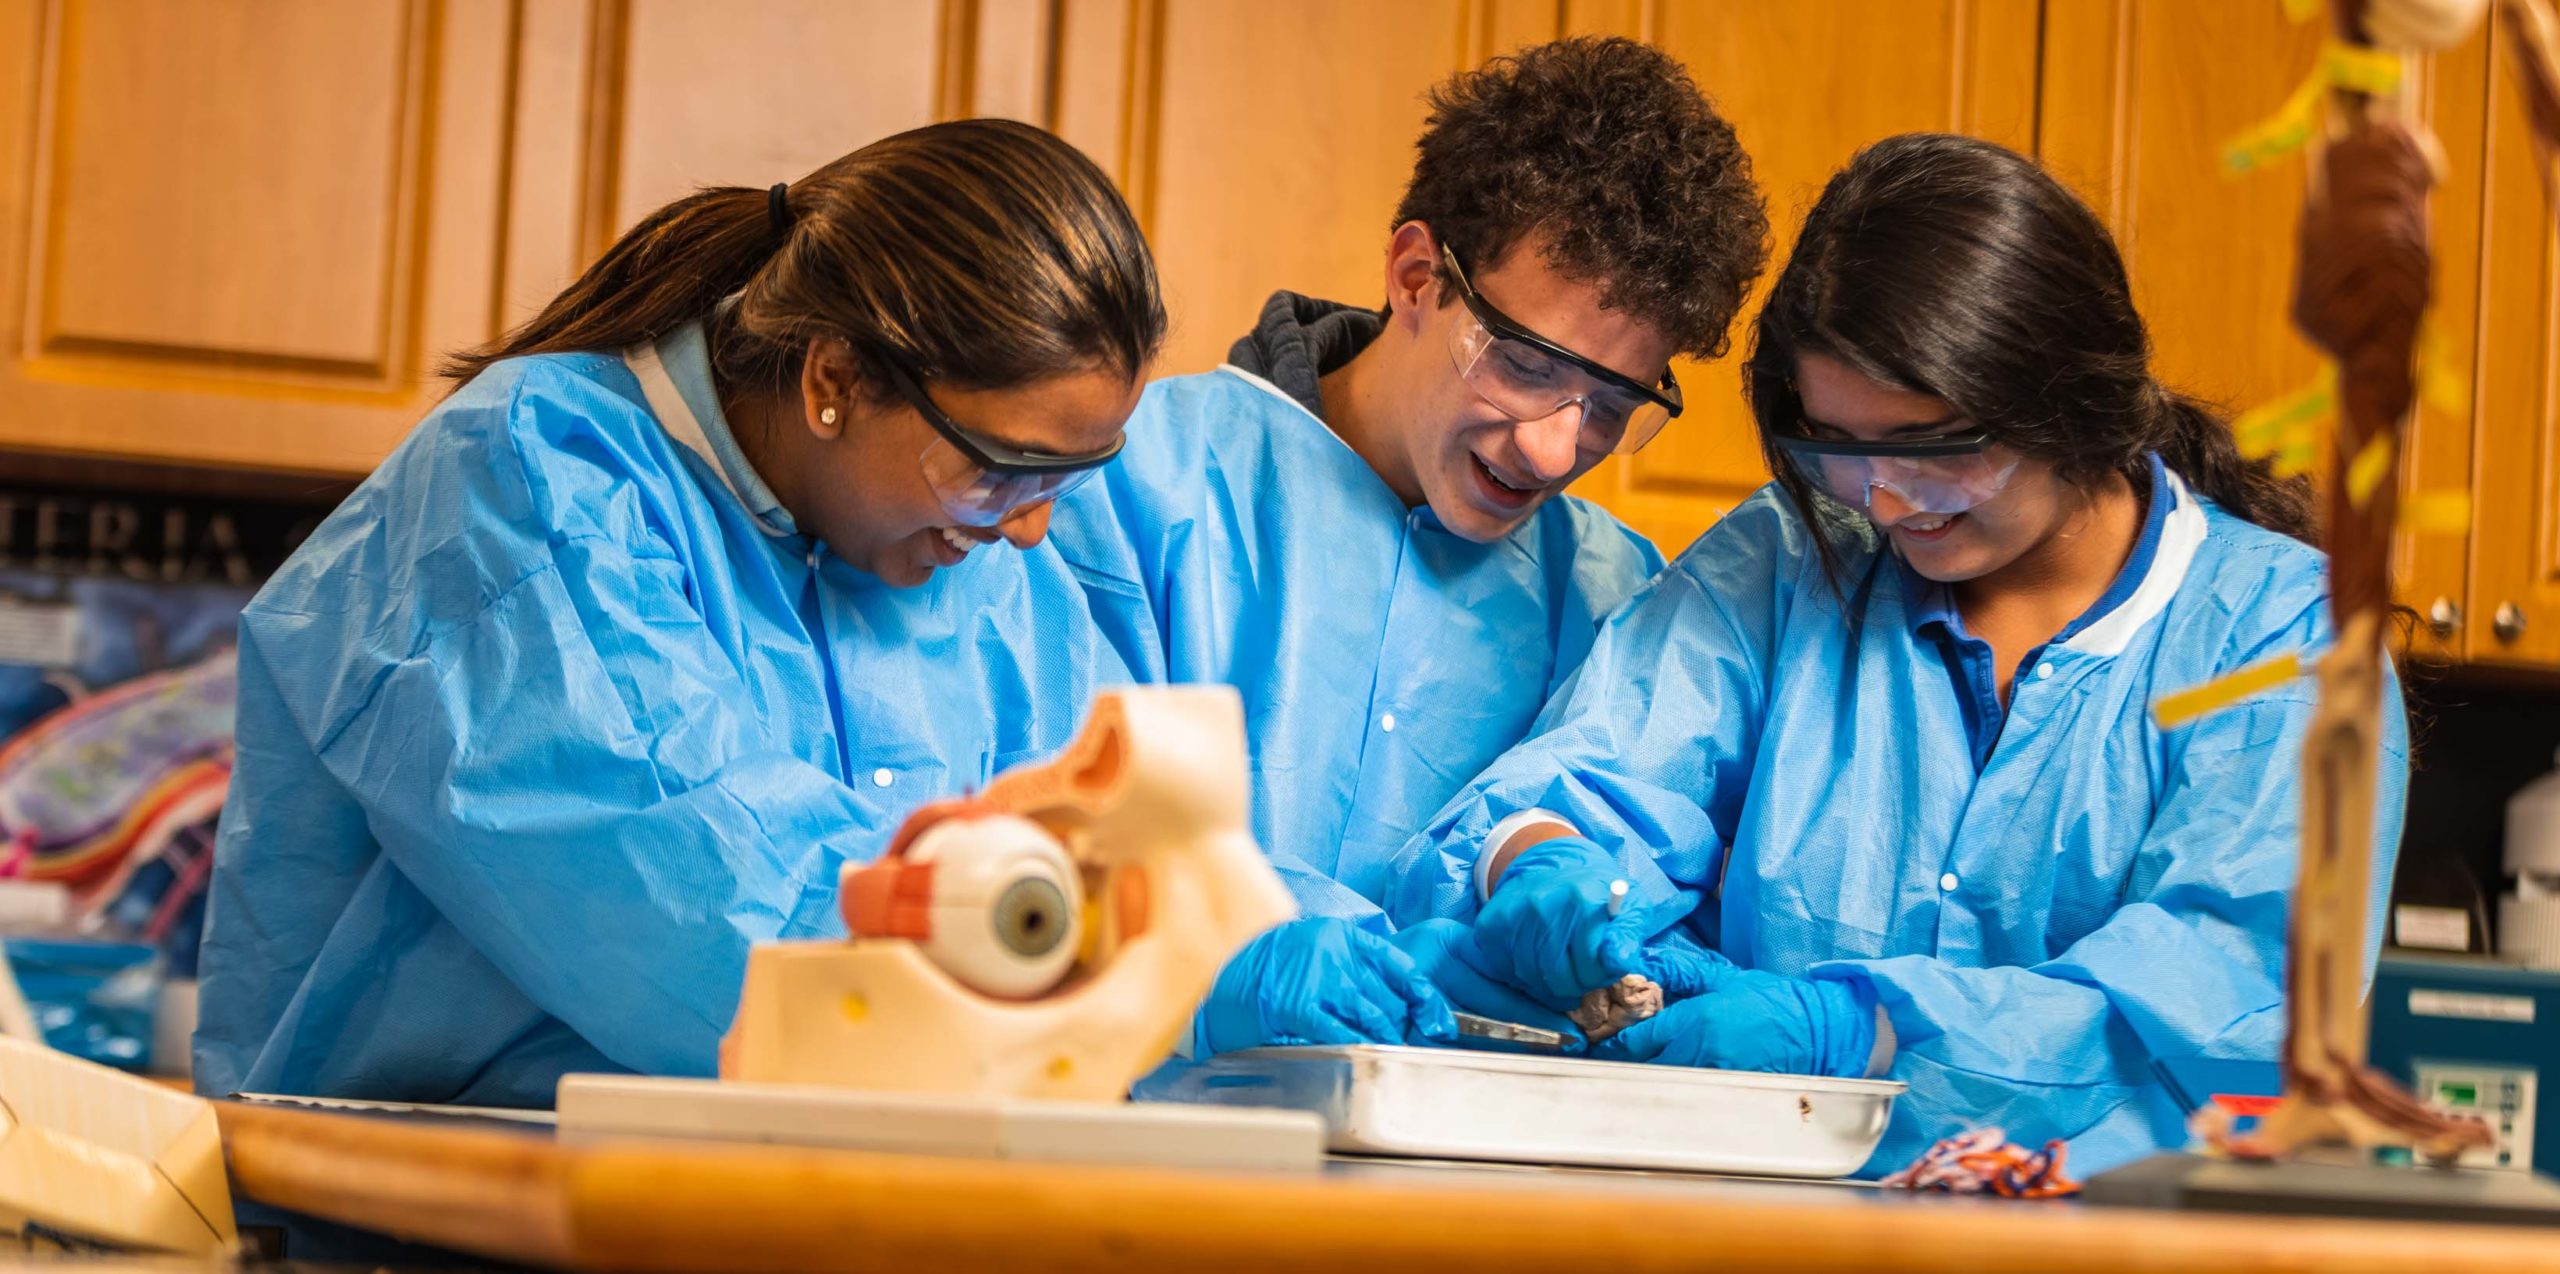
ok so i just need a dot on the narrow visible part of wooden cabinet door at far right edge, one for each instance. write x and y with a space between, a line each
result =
2515 536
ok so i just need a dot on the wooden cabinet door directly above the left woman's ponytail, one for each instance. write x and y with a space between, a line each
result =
621 106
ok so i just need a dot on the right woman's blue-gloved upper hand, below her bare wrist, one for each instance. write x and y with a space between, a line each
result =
1548 925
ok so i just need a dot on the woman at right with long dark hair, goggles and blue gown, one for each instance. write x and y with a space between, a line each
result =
1893 718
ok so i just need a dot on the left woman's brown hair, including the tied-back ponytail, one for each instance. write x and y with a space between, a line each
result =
979 252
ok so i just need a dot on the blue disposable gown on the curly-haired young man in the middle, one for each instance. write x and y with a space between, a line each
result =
1381 659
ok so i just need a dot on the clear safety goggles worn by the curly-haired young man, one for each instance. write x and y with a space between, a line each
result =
1530 377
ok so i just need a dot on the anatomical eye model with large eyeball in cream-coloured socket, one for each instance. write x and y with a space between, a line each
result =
1048 938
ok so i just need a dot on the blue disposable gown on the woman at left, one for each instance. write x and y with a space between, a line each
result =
557 718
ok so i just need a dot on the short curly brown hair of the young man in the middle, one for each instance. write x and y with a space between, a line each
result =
1609 150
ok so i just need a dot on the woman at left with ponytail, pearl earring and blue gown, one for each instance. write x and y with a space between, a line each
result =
667 613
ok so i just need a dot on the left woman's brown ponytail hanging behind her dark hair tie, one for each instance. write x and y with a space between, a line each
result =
662 275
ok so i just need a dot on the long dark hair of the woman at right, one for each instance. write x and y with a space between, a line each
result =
1960 270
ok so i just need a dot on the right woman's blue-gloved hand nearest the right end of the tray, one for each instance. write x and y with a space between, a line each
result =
1757 1022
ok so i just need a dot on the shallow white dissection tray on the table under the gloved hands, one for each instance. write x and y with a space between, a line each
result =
1455 1104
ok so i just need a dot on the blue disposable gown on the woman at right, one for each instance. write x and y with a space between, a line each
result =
2044 920
